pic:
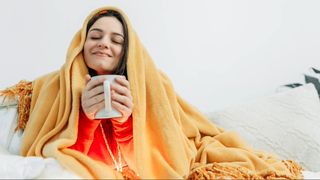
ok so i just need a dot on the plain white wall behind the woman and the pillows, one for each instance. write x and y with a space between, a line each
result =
217 53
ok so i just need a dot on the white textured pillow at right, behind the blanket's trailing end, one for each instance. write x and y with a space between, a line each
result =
287 124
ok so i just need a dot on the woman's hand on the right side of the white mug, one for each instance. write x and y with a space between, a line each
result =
121 98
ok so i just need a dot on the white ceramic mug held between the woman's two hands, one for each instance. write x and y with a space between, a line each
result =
108 111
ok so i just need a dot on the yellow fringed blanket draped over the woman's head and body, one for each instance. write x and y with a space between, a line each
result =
172 139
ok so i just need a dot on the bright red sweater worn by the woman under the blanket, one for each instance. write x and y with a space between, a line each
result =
90 140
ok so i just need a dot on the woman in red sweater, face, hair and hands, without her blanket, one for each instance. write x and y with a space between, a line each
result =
105 52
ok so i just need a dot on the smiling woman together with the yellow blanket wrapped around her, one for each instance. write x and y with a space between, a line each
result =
170 139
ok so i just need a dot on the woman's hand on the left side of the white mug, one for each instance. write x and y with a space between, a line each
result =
92 98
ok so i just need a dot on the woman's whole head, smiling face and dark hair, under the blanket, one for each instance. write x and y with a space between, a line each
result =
105 48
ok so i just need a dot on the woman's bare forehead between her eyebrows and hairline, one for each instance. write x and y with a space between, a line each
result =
108 24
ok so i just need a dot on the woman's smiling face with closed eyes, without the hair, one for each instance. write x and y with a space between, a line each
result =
103 45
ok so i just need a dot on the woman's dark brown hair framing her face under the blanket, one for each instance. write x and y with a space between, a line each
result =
121 69
